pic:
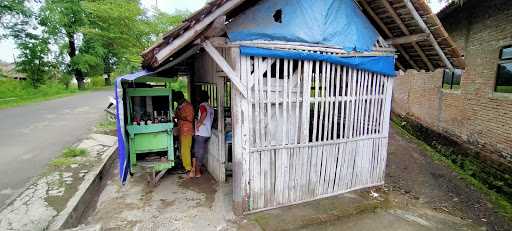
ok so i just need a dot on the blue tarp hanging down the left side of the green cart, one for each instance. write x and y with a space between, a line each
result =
124 166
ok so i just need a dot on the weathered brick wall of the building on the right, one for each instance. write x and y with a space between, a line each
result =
475 114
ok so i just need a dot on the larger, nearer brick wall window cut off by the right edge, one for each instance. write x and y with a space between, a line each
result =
504 72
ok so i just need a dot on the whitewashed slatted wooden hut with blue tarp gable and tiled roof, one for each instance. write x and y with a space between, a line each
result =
301 89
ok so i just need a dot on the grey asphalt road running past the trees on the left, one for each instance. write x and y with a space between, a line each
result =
32 135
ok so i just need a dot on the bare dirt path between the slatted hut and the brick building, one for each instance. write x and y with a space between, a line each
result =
436 185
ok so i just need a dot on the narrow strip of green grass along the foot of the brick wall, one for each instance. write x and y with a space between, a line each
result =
501 204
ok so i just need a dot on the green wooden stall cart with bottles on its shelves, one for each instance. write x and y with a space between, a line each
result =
145 115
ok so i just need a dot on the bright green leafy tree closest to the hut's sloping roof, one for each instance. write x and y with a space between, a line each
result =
122 30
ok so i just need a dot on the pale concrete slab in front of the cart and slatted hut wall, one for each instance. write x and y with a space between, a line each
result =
202 204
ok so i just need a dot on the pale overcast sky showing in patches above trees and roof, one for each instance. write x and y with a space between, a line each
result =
8 49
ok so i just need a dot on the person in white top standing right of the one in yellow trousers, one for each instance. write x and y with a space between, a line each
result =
203 131
